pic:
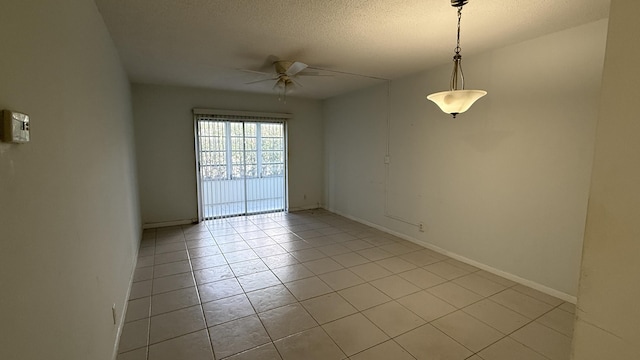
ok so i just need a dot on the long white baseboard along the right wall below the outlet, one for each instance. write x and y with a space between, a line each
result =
529 283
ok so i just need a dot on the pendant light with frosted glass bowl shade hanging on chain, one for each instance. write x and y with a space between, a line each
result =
457 100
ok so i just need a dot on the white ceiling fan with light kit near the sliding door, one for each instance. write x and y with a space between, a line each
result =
284 77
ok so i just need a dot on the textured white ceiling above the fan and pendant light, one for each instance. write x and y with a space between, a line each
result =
203 43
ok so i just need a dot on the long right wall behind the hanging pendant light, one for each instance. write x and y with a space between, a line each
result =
505 184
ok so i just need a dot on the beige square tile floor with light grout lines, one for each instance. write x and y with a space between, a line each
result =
314 285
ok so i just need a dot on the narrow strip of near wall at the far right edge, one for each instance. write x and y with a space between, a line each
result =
608 316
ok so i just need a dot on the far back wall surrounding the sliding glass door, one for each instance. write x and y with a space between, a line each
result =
166 155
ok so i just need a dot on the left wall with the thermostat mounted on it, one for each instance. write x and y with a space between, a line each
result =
69 216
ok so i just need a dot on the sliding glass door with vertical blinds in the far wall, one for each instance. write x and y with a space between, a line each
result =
242 166
